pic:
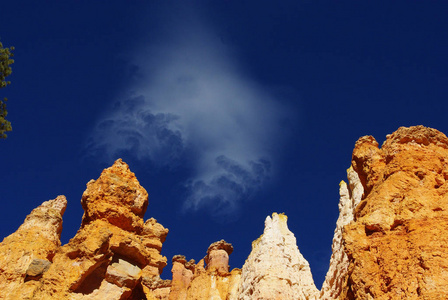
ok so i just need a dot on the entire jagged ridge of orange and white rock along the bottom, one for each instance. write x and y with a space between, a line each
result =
389 241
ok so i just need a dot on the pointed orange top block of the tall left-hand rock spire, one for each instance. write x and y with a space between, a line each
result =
116 196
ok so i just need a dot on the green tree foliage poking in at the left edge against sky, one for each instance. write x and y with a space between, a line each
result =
5 71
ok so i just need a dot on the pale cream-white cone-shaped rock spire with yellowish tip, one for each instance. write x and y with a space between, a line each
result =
275 269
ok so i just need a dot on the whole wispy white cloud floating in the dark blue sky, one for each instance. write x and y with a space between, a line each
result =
191 101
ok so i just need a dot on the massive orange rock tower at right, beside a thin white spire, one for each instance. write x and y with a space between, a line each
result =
397 245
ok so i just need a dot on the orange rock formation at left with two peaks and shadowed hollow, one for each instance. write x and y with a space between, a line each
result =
114 255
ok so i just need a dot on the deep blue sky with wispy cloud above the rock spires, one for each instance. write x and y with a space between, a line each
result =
226 111
